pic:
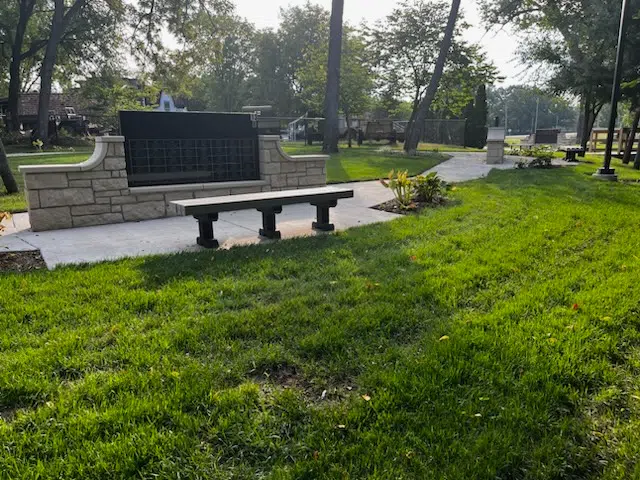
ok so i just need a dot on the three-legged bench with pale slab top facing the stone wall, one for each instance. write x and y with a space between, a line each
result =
206 210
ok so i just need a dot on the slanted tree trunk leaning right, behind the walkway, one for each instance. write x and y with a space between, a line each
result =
411 143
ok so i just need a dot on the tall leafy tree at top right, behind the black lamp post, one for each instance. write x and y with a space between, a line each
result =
573 41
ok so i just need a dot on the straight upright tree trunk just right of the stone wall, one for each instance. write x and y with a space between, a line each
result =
332 95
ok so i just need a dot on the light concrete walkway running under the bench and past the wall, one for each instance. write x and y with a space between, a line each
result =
170 235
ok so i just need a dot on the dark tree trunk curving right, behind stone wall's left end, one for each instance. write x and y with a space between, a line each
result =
59 24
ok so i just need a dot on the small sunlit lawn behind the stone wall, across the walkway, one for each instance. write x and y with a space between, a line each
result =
367 162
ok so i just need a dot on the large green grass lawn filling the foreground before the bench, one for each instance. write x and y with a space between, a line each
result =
498 337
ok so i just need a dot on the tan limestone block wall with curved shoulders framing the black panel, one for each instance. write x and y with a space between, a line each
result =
97 192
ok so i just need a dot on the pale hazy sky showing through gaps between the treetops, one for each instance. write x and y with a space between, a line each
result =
500 46
